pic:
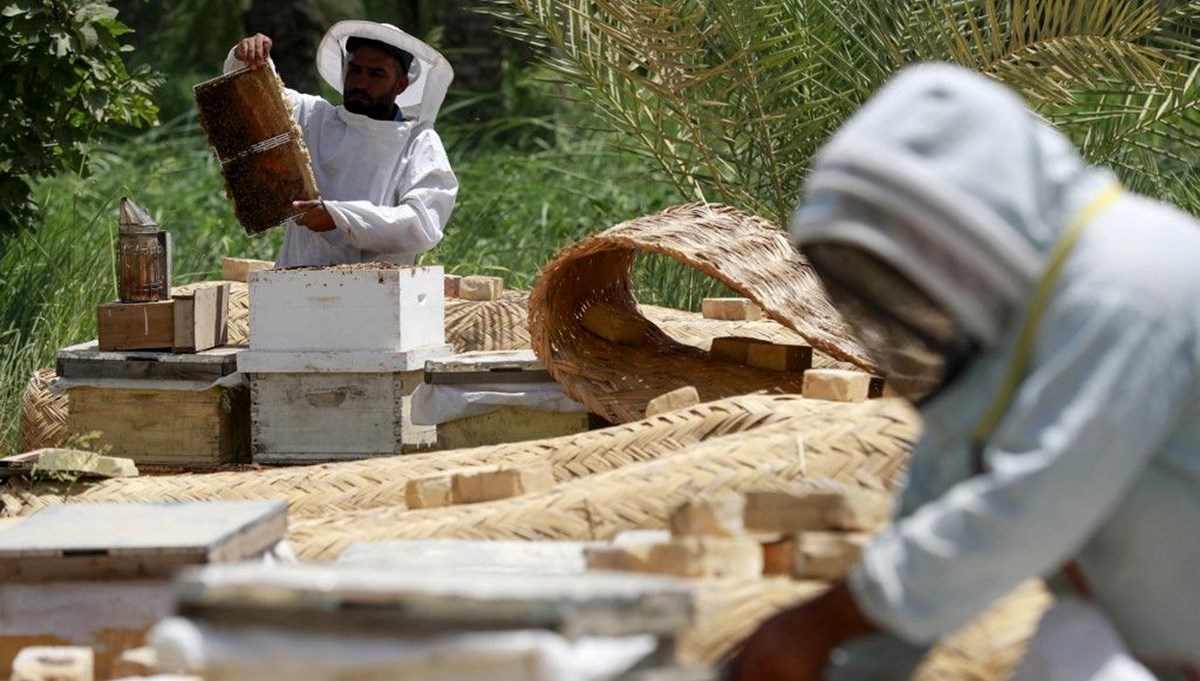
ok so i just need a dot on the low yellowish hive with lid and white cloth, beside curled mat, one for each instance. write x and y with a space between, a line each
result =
494 397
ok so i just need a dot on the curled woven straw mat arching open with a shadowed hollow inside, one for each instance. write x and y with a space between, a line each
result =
745 252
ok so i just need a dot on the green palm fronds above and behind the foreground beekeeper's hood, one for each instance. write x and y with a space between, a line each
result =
733 98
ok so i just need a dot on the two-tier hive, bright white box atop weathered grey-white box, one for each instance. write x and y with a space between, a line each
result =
335 355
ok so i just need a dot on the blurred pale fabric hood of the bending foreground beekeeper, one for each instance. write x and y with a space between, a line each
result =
946 177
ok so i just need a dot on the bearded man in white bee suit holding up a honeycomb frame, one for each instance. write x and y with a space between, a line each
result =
387 188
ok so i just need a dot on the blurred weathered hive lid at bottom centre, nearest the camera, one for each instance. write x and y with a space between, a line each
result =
422 601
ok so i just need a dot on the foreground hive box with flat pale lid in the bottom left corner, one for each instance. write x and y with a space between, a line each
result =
100 575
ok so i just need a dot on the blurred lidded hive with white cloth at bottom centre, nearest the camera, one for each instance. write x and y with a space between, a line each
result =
317 623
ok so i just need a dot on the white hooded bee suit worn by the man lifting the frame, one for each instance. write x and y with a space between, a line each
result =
388 185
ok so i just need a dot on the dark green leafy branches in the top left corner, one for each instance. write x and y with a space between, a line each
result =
62 81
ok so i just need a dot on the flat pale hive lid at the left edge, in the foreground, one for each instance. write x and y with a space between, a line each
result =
93 541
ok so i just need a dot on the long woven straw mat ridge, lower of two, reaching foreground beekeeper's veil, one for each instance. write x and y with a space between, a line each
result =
841 442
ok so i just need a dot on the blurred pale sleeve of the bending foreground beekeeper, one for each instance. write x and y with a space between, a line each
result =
1111 377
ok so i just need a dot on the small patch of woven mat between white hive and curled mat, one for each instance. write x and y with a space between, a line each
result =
489 326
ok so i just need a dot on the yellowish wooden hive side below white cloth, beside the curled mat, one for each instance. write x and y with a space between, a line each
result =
509 425
